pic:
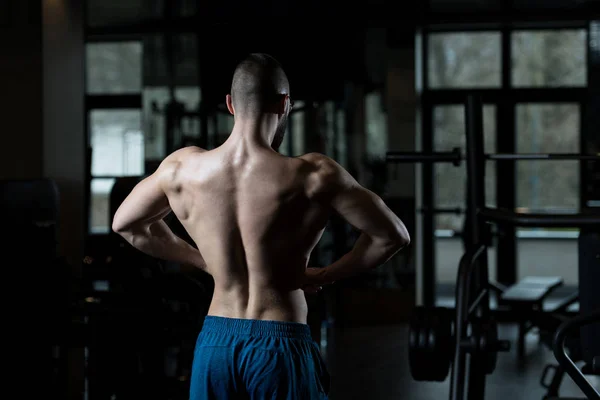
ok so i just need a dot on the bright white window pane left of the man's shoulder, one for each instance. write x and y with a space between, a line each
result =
117 143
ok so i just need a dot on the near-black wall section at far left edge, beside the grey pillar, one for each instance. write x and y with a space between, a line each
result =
21 83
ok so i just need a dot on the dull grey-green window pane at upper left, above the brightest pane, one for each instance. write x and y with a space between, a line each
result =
114 68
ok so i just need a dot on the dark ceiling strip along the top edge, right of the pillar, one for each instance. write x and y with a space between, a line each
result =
304 13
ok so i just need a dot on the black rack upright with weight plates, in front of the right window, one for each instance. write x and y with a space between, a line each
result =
475 331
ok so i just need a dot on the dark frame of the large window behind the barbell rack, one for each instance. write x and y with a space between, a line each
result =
505 98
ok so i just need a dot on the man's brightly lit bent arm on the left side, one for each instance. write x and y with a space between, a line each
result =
139 220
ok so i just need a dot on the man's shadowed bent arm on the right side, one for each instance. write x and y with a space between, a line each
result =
382 233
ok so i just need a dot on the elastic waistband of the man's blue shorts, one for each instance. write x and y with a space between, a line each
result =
253 327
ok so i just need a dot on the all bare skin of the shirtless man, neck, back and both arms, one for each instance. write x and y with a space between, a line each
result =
255 217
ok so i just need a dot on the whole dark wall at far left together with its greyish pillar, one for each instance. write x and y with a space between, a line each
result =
42 80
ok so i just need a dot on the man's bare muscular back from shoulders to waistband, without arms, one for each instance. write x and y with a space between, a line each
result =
254 224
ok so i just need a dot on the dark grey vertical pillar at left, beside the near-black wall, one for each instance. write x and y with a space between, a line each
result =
63 116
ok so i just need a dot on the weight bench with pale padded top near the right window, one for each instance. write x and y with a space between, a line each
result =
525 299
